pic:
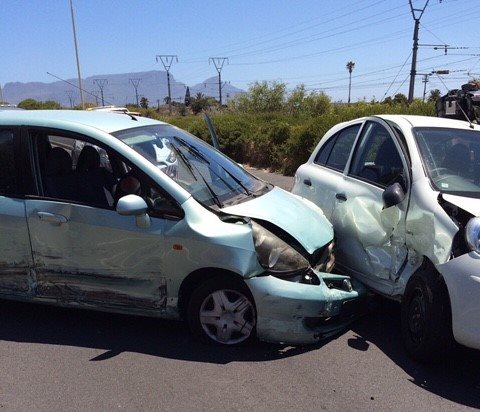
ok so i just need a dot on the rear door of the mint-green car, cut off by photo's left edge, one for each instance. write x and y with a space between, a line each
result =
15 252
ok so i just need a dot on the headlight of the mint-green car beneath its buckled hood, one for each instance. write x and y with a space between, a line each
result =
274 254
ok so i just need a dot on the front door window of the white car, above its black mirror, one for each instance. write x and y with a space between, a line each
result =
376 158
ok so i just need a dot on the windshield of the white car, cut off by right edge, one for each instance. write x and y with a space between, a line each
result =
451 158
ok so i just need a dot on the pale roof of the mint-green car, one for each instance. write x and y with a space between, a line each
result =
102 120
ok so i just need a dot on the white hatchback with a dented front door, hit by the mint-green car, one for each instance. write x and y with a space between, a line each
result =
403 195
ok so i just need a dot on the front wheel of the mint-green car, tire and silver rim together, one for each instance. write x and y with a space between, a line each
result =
222 311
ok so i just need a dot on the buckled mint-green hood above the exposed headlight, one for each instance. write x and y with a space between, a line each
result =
299 217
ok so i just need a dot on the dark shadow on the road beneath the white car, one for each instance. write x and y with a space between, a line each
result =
457 377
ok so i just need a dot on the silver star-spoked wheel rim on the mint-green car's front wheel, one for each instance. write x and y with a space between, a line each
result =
227 316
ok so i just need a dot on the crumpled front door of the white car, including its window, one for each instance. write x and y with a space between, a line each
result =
370 237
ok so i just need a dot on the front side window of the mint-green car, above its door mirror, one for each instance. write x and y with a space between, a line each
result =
75 170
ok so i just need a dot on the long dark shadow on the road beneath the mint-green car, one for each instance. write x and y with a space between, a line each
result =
115 333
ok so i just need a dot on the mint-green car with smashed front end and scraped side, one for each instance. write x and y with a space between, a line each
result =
231 254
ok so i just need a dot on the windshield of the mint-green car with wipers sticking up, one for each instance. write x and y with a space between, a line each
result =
212 178
